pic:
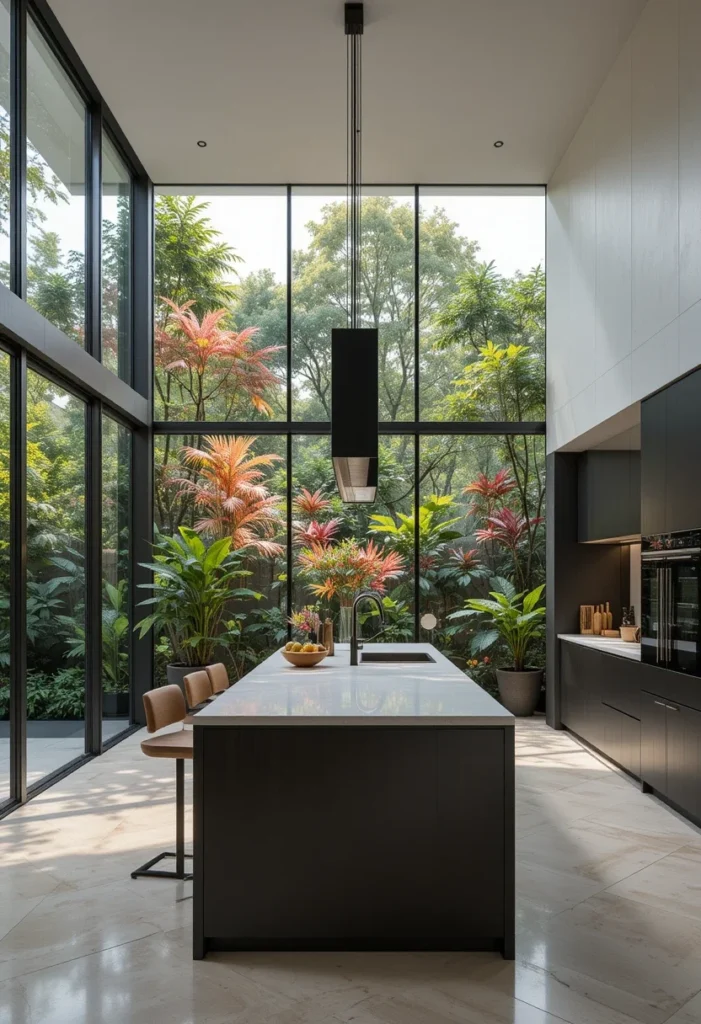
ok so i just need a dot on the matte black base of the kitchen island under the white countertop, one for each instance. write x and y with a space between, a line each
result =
359 838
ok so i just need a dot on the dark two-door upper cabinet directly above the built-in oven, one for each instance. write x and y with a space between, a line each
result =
671 442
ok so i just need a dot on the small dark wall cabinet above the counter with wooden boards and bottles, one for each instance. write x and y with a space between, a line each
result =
609 496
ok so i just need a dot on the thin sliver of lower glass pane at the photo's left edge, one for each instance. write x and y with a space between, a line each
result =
5 575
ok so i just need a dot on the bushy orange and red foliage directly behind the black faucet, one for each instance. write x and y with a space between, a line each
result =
346 569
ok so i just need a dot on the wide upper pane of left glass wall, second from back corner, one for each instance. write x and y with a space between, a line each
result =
56 190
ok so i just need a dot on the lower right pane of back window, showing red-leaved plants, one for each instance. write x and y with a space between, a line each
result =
484 503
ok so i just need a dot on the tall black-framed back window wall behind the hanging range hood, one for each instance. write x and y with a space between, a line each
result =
454 279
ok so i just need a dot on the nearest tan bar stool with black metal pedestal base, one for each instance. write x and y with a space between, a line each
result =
166 706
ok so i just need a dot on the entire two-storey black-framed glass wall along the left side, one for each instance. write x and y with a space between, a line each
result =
74 200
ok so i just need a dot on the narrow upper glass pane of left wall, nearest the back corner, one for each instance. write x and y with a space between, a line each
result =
116 262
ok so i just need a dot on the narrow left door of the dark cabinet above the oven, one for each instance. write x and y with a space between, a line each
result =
653 464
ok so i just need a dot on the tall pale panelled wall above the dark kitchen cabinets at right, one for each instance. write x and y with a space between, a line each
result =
625 231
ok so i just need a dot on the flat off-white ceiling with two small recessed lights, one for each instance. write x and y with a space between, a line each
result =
264 82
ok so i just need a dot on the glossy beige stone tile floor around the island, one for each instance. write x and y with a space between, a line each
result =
609 916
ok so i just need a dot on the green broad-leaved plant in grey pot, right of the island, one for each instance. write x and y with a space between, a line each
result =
516 621
